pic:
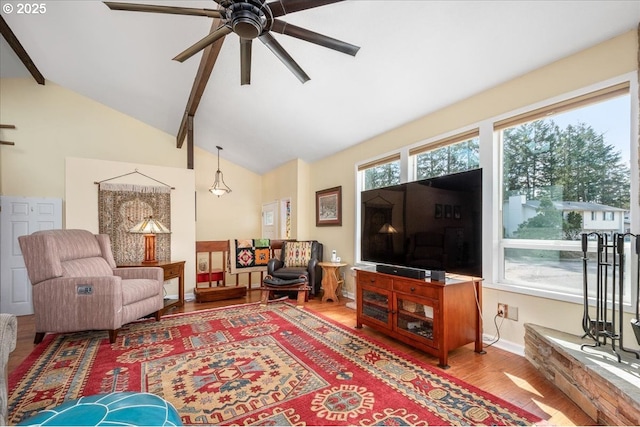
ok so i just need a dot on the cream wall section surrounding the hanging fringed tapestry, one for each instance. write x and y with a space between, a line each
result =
81 202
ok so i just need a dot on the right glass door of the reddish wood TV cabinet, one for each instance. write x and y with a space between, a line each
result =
417 319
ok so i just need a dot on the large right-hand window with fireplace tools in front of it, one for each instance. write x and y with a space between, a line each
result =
566 171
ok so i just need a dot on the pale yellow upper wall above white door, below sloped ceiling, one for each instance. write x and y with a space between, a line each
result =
53 123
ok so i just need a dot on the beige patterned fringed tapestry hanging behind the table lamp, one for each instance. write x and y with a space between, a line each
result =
121 206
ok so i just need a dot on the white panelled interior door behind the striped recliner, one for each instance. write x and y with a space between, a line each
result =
20 216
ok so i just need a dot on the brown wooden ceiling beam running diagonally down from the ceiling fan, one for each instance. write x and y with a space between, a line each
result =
208 60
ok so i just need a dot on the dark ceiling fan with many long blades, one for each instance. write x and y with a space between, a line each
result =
251 19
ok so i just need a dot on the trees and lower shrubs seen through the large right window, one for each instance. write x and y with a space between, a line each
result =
546 163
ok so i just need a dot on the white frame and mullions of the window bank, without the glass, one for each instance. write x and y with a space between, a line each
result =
490 161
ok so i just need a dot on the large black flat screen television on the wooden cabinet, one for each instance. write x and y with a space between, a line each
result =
432 224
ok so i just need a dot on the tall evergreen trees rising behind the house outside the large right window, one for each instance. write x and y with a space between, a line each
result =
539 155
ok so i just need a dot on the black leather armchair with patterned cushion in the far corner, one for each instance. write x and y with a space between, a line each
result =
299 258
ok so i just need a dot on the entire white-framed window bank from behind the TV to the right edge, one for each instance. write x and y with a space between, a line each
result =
561 170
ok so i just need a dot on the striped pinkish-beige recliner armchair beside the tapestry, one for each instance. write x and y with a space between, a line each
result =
77 287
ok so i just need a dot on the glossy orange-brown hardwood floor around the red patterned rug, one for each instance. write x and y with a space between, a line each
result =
499 372
